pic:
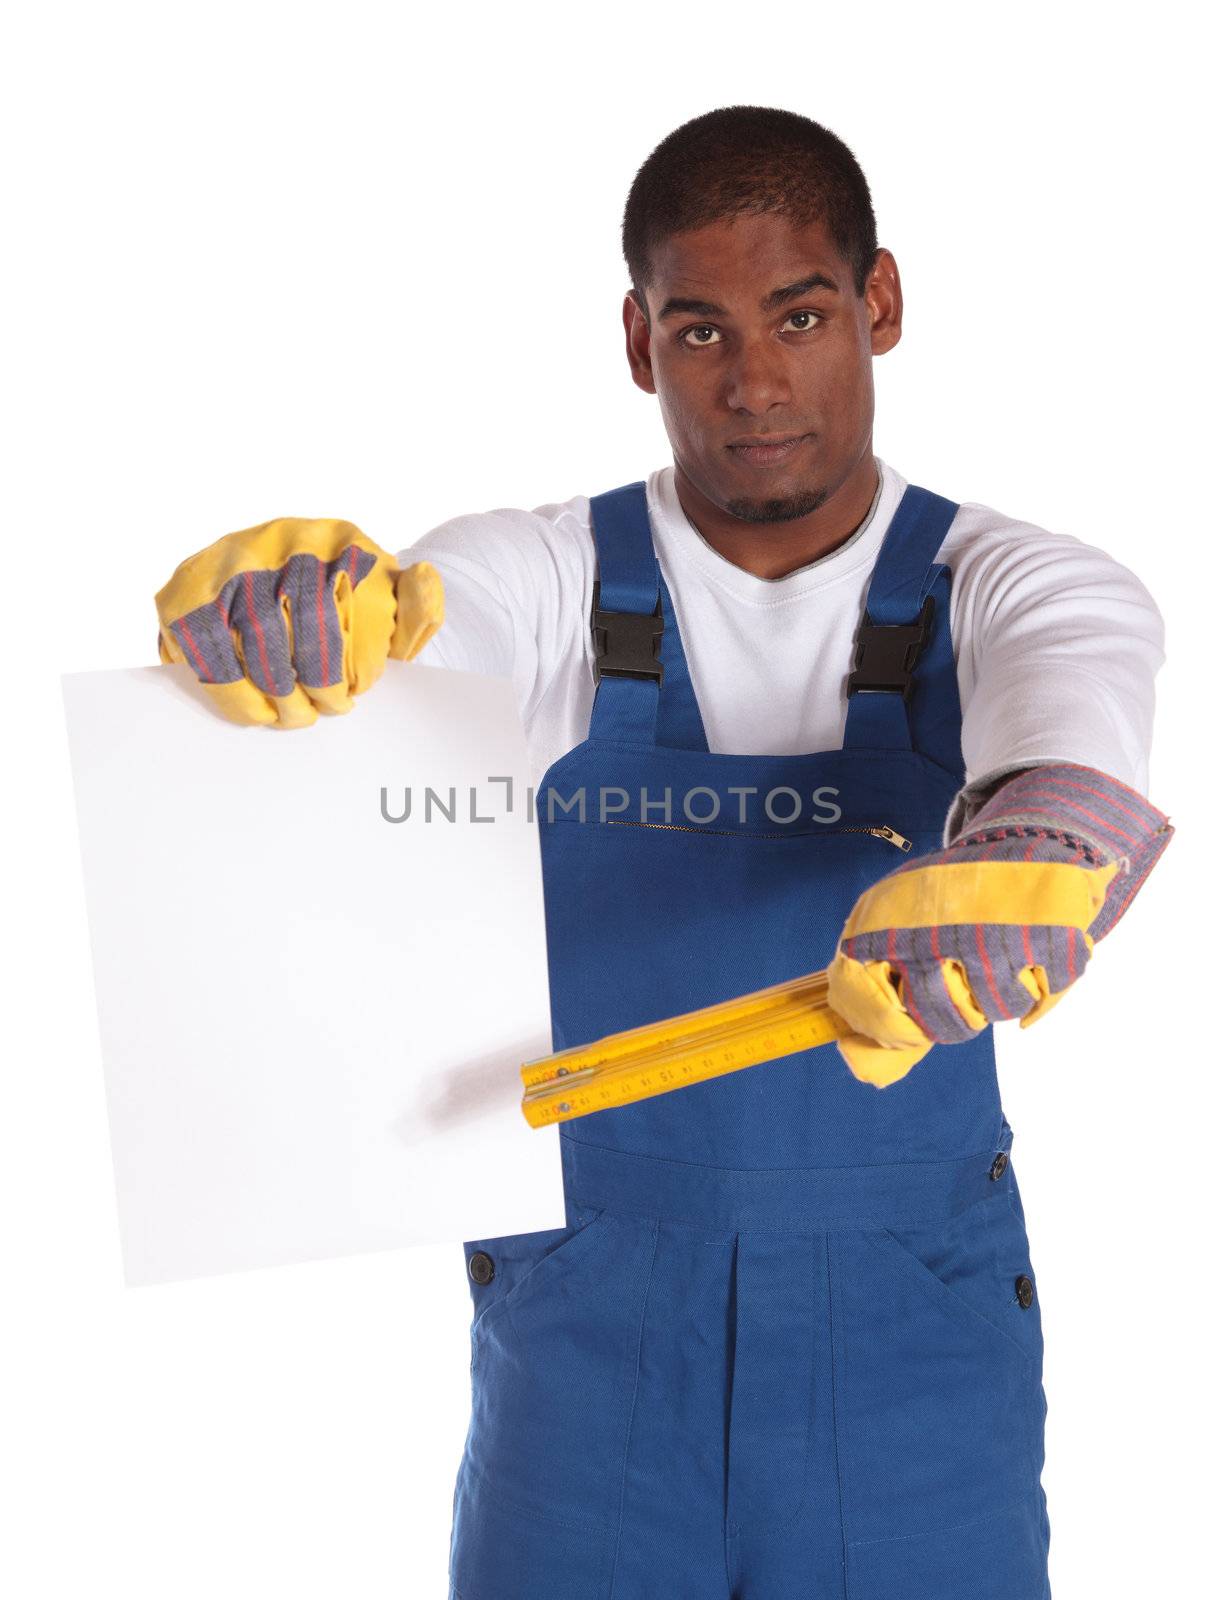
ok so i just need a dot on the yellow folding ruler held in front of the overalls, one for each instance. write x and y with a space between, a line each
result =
679 1050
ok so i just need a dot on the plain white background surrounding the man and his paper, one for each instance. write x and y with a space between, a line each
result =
346 263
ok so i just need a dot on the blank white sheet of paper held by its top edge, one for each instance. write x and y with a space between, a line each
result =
313 1018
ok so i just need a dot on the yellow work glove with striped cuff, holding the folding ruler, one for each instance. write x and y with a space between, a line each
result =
996 926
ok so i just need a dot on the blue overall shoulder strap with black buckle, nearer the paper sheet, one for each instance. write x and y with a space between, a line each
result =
644 690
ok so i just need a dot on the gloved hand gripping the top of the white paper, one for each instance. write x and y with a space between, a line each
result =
294 618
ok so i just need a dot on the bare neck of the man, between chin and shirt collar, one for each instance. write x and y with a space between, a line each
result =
772 550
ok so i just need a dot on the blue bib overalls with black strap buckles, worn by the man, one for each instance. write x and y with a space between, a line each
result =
788 1345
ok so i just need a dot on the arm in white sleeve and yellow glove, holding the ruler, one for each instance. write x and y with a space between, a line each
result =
1046 850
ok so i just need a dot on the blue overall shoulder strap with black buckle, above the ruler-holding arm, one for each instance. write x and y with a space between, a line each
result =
903 694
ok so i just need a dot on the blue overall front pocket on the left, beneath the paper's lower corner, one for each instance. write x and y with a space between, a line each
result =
553 1378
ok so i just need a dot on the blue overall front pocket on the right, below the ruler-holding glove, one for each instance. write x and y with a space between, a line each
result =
940 1412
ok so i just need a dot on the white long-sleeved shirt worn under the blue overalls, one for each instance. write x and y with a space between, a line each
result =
1057 644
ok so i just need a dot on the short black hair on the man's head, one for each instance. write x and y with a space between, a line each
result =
748 159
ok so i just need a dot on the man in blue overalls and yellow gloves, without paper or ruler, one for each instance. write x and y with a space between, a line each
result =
790 713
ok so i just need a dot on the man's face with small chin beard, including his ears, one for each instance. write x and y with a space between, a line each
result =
758 332
